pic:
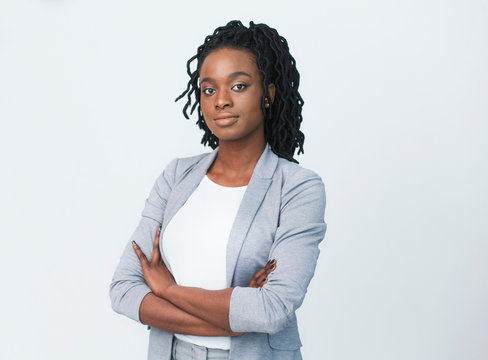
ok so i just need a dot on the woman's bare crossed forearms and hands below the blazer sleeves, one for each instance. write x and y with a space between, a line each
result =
173 308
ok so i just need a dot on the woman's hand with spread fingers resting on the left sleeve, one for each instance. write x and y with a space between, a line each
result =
157 275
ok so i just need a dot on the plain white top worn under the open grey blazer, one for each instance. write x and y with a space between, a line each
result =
195 242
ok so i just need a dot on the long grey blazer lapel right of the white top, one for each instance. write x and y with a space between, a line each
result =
251 201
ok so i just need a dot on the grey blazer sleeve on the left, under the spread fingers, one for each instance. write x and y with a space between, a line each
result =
128 287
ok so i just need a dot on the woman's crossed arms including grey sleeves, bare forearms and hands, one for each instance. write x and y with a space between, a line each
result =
147 292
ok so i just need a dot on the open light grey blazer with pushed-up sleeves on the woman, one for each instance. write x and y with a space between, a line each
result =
281 217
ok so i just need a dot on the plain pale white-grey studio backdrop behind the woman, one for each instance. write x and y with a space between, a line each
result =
395 119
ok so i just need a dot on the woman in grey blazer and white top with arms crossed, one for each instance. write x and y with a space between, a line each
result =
228 240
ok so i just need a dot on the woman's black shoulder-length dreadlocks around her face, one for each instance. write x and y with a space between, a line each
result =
283 117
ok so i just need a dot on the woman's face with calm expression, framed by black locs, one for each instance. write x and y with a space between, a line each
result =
231 92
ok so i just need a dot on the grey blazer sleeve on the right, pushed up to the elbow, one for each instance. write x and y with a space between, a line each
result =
296 250
